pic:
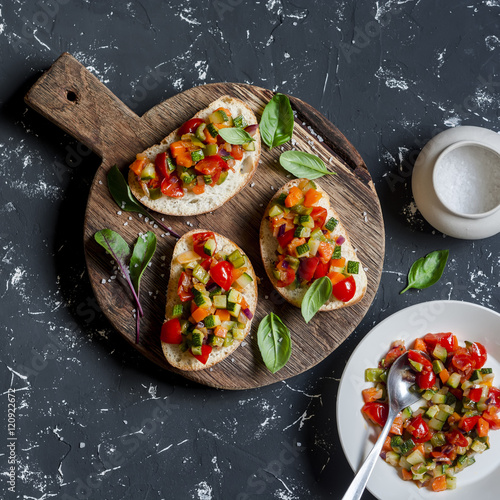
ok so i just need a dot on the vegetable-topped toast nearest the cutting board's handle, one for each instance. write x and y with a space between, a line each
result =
194 170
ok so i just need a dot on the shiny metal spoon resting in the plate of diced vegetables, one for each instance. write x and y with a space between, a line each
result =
399 381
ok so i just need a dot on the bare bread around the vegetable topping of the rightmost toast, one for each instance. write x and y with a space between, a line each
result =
269 244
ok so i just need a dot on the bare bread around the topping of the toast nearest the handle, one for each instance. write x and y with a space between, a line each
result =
213 197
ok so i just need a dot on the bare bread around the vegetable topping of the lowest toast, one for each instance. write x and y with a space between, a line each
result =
185 360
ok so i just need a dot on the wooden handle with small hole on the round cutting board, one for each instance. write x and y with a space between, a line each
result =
75 100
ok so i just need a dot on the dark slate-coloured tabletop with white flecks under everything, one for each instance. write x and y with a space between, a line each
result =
94 418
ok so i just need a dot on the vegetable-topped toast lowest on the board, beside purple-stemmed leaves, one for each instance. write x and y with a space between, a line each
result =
211 300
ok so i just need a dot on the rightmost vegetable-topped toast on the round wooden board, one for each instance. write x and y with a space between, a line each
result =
302 239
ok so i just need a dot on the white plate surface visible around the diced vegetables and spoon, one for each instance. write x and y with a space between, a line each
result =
354 431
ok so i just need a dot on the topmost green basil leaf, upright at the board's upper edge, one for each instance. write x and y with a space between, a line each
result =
276 124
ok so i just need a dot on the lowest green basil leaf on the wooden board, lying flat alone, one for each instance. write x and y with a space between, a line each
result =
274 341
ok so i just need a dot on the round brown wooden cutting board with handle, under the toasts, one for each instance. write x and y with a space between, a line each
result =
74 99
